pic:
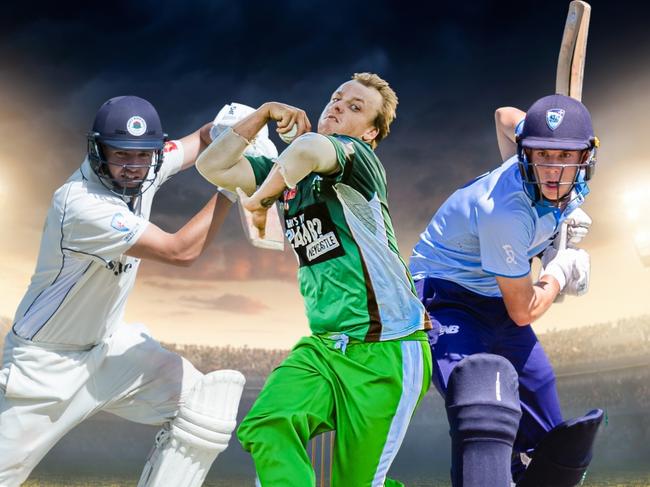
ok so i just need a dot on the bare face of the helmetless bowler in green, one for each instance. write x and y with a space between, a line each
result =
351 111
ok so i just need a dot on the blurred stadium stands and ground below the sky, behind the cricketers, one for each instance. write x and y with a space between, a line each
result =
614 376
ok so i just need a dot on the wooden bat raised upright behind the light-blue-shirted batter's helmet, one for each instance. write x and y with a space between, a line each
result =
570 73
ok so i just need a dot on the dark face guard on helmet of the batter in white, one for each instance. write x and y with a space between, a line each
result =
100 165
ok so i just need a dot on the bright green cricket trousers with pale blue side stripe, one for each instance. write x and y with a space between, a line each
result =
366 391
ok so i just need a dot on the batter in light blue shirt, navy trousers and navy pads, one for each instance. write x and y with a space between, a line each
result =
472 268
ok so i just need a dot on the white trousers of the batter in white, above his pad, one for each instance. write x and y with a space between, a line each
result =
46 391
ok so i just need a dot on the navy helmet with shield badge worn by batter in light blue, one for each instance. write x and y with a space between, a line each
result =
557 122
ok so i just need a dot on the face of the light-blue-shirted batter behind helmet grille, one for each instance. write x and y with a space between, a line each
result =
556 170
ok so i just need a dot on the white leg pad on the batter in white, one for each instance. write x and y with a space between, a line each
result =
185 448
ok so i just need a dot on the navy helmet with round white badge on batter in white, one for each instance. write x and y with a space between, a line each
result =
128 123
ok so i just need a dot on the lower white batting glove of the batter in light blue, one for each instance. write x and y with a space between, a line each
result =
570 267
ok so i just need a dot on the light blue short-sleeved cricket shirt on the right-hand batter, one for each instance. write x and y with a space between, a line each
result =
487 228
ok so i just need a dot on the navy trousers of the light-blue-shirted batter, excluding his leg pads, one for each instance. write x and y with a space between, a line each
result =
465 323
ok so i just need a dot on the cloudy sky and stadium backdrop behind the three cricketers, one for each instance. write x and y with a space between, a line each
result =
451 63
